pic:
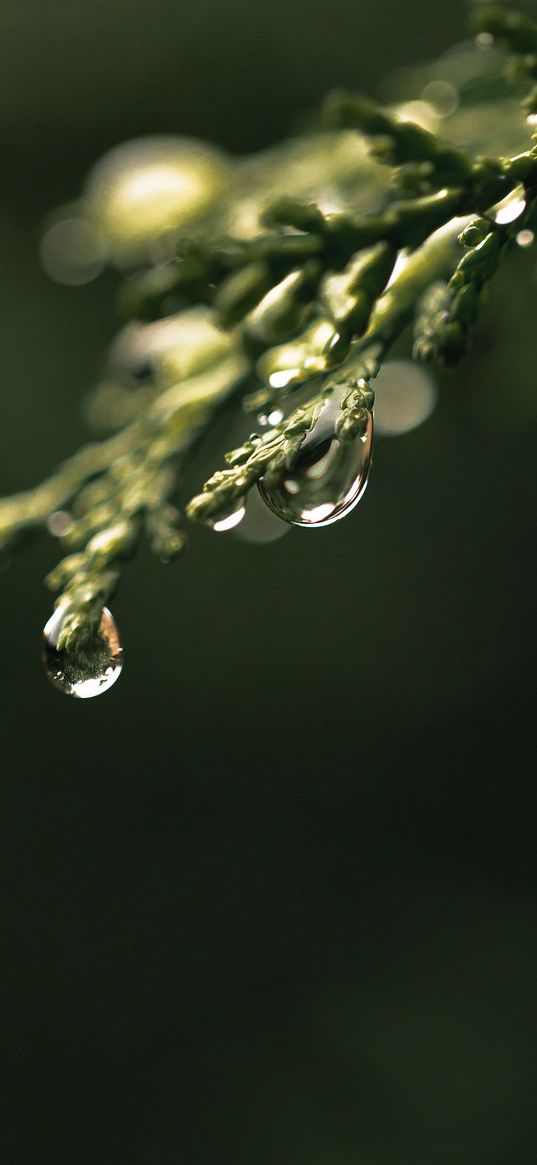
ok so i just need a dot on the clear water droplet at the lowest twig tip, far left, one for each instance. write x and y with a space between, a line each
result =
93 670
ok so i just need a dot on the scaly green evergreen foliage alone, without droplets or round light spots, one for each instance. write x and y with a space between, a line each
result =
302 296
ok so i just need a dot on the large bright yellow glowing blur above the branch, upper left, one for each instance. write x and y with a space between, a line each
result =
146 190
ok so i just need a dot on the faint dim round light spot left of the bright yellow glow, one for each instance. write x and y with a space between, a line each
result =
73 252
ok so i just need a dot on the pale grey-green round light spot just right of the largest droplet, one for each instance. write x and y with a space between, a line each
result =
406 397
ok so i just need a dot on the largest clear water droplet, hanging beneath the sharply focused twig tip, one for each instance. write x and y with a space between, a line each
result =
328 478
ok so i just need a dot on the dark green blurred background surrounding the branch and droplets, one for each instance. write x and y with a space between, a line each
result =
272 900
